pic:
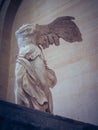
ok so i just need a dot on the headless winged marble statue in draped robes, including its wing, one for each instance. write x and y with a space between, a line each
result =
33 77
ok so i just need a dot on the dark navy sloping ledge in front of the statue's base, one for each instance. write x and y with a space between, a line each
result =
15 117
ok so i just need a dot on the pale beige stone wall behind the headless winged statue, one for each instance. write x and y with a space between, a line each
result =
76 66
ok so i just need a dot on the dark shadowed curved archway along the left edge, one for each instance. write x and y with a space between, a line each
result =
8 9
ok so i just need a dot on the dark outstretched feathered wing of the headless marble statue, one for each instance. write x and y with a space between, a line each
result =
62 27
